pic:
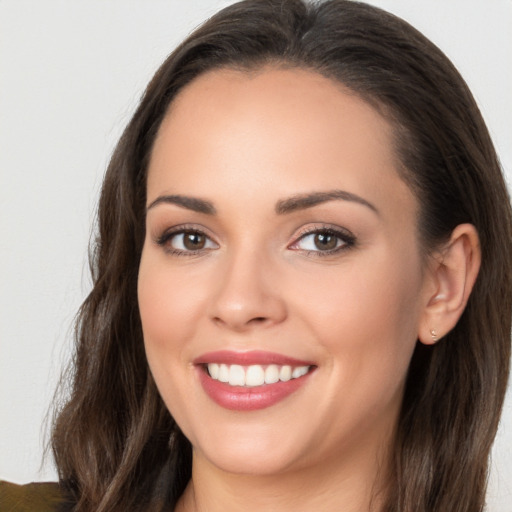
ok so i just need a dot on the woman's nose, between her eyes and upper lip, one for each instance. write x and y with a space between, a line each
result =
248 294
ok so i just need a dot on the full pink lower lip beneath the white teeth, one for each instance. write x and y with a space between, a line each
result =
238 398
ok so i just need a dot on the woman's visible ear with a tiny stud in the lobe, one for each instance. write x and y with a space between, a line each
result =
451 276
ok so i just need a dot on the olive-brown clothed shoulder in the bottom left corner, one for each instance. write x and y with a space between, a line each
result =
40 497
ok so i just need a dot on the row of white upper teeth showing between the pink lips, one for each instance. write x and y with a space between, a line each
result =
254 375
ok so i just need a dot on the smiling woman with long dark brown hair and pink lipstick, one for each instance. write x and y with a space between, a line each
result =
302 290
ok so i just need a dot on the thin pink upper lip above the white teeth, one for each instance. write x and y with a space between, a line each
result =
249 358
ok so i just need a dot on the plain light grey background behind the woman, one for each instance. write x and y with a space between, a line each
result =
71 73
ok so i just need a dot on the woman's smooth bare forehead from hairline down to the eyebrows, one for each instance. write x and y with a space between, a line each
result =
274 130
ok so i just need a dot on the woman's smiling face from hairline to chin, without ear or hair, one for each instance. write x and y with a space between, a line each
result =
281 255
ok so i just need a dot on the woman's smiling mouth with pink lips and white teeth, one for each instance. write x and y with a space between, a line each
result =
250 381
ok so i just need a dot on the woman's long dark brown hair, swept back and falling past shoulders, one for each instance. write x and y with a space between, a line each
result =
116 446
